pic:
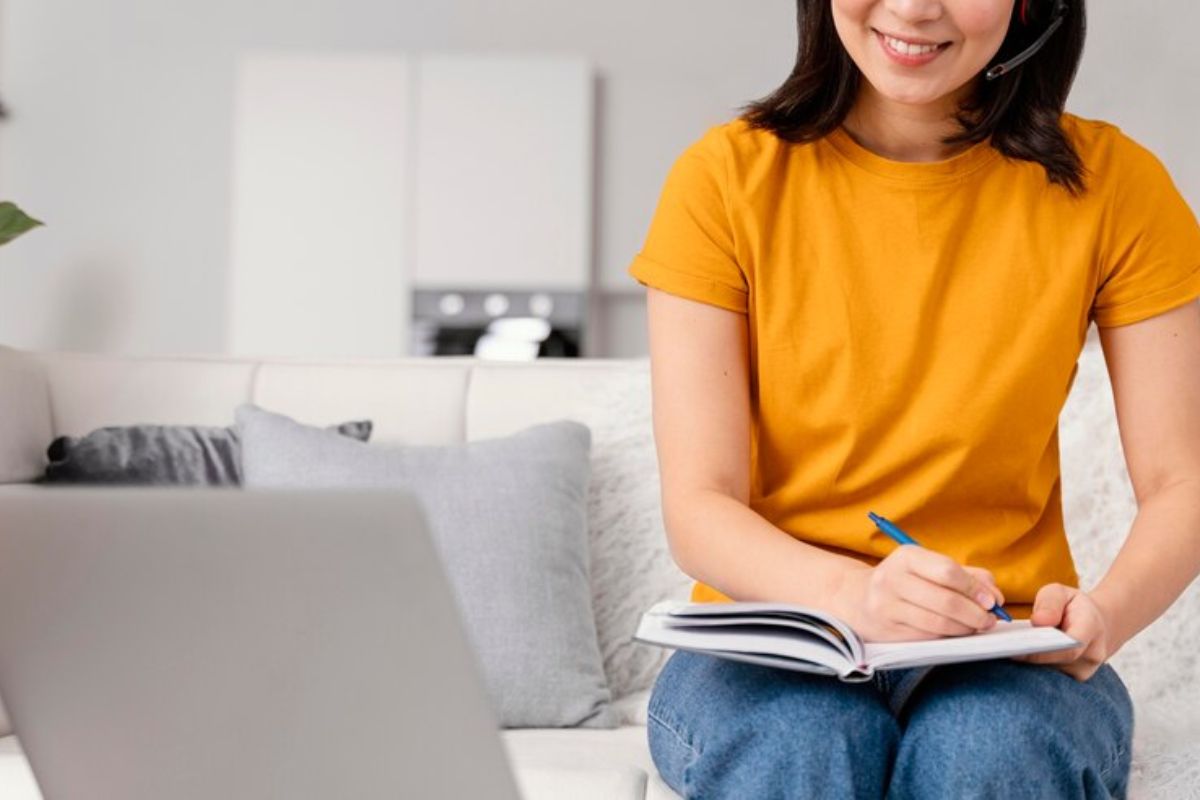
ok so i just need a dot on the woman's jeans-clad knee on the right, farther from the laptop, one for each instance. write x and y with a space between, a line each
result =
1012 730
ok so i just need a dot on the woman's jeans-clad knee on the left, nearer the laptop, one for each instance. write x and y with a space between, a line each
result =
721 729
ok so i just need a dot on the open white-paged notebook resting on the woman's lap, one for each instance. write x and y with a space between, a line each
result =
808 640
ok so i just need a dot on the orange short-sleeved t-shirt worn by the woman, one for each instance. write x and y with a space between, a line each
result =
915 327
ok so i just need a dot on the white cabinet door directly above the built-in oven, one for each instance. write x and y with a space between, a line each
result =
505 166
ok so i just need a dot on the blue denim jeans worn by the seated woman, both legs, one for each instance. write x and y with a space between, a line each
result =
1001 729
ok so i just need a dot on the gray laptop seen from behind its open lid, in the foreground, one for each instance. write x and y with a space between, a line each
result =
225 643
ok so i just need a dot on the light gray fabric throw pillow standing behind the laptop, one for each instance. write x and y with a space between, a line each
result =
509 521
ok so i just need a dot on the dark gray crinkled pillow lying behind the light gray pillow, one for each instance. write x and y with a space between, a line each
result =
159 455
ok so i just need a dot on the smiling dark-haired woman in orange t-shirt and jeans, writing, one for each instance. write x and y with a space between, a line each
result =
869 292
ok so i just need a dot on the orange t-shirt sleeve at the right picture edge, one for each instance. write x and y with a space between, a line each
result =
1151 254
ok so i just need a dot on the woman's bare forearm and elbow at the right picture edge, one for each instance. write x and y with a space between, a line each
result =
1155 370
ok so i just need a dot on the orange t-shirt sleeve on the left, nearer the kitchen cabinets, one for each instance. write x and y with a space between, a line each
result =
689 250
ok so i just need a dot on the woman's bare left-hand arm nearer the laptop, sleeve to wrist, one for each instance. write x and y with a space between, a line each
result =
701 386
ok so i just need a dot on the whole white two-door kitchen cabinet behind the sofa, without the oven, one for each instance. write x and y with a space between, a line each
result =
359 178
